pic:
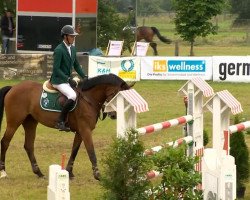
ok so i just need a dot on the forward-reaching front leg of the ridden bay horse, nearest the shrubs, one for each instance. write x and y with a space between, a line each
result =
86 135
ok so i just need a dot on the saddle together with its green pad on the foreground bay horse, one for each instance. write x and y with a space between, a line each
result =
51 99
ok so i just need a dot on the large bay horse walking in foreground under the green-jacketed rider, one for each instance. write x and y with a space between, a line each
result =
22 107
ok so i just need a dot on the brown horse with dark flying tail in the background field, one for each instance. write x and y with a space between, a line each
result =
147 33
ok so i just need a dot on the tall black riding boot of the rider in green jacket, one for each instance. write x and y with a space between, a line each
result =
62 118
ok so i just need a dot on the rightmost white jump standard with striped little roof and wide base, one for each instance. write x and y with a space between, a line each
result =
218 168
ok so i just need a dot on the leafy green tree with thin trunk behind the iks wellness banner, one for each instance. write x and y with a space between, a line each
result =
193 18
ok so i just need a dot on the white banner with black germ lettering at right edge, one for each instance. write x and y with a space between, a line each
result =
231 68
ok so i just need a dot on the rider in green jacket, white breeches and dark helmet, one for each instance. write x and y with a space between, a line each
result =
64 61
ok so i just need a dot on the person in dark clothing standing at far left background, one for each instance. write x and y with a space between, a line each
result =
7 29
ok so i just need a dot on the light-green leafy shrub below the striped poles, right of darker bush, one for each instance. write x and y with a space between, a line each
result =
179 177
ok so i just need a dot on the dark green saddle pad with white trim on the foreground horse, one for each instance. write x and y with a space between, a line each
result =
50 102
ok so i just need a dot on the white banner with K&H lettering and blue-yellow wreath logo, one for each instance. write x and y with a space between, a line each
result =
127 68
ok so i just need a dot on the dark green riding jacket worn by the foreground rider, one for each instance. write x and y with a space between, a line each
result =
64 64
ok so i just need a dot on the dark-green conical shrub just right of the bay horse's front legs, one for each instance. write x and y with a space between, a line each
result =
125 168
